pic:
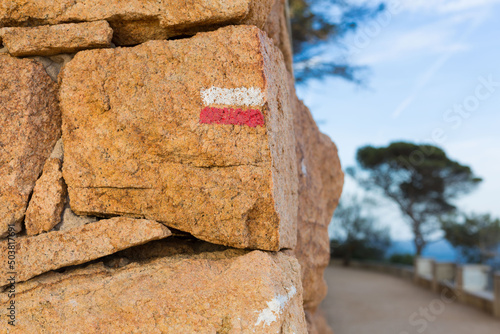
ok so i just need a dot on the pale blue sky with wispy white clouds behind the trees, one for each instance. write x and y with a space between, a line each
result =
433 77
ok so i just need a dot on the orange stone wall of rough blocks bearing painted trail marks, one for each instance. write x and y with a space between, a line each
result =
158 173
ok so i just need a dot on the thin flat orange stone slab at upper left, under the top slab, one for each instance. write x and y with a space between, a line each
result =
52 40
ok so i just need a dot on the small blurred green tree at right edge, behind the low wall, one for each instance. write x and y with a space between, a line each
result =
476 236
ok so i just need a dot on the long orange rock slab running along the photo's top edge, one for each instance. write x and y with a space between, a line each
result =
138 21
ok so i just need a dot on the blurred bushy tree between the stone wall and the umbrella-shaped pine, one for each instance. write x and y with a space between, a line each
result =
355 232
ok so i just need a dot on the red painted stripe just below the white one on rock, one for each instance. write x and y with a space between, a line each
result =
250 117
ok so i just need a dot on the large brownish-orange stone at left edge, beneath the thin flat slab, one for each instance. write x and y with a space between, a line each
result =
30 123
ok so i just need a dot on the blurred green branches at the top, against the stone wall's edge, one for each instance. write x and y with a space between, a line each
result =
317 23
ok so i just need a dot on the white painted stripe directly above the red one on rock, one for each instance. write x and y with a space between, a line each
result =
233 96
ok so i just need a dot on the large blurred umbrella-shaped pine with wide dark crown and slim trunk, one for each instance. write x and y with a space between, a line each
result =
420 179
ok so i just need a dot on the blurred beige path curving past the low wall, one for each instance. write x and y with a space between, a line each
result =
363 302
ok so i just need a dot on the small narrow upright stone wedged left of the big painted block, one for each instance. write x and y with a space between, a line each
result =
47 203
